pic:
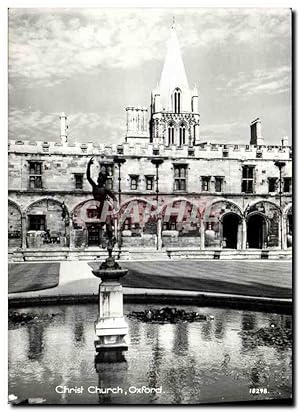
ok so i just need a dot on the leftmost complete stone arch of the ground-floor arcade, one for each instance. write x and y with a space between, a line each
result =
47 223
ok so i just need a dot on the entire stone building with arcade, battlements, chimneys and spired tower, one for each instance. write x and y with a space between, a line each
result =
174 190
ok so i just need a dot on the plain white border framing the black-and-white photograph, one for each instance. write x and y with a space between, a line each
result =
4 5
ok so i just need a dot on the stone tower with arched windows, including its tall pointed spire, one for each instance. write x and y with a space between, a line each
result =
174 106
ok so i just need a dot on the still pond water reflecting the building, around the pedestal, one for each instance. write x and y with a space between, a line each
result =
217 360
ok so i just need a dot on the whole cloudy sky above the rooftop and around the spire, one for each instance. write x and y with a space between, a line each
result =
92 63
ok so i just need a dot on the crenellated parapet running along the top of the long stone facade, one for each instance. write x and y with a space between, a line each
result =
202 150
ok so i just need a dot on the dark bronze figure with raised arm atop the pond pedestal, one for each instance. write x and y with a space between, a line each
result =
102 194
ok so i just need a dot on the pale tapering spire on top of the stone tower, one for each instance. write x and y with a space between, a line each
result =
173 74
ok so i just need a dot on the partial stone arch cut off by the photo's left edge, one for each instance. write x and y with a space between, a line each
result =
15 224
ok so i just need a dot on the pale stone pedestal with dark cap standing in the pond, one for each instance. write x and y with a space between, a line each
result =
110 326
